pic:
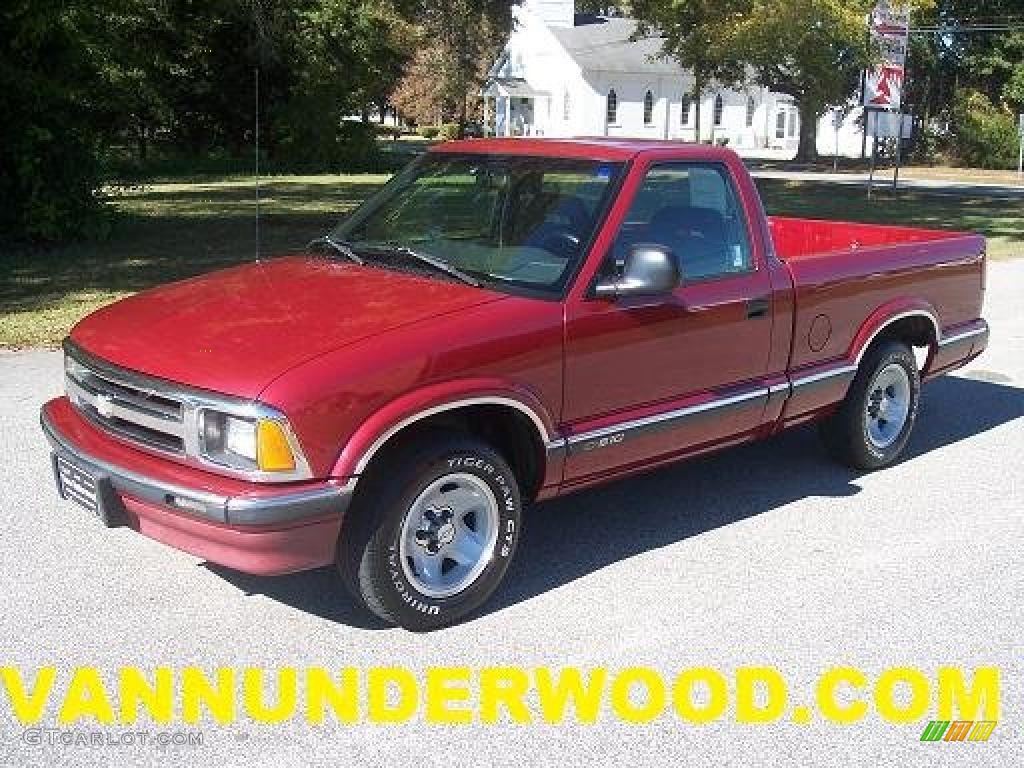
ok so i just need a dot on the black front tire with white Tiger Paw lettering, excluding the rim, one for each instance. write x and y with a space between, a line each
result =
369 548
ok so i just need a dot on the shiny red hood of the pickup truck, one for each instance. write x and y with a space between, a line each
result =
237 330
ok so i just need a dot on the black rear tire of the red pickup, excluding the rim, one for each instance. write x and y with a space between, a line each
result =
846 435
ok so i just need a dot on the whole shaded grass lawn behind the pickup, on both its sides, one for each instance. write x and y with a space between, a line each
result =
173 231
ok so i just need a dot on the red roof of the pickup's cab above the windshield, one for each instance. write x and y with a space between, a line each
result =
605 149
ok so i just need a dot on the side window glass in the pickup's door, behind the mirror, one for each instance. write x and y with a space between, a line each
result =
693 210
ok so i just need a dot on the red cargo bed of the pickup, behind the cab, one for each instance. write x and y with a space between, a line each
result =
844 275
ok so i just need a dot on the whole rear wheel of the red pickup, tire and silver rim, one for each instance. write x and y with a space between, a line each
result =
873 425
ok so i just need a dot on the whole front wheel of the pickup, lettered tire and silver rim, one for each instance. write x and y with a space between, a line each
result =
431 537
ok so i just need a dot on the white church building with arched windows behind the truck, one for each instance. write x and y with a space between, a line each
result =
565 74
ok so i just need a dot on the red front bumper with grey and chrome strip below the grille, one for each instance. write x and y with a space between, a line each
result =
253 528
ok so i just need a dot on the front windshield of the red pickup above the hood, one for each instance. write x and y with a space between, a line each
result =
508 222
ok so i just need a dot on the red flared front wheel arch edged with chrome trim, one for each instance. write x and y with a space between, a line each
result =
421 404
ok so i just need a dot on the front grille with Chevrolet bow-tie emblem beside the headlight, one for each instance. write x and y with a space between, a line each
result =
124 408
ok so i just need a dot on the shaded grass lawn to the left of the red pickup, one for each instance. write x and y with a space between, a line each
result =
166 233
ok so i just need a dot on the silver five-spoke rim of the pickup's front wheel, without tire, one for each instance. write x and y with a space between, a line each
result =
449 535
